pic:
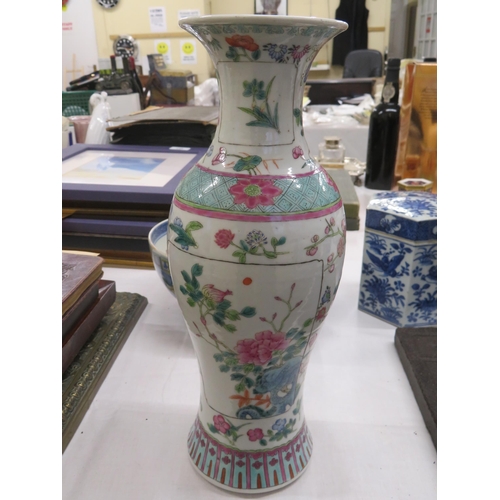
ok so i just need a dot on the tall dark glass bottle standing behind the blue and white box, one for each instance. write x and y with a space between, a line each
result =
383 133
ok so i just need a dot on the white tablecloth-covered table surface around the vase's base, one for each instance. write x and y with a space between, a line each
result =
370 441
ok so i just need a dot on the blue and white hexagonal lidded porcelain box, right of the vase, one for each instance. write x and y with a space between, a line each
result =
399 269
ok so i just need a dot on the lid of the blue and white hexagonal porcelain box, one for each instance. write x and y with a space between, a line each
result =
407 214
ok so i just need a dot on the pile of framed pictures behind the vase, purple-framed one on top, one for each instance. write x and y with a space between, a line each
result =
113 195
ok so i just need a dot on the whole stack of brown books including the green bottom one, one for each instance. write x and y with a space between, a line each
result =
96 322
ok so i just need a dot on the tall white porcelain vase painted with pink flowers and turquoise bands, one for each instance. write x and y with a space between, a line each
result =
255 245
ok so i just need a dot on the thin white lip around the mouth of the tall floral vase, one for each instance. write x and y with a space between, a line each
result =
259 19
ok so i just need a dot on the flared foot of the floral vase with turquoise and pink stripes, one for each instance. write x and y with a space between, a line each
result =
249 471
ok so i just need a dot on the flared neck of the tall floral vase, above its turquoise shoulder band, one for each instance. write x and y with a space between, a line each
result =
261 66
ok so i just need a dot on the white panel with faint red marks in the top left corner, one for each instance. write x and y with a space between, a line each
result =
78 39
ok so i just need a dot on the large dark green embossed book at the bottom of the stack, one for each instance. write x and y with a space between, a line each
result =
84 376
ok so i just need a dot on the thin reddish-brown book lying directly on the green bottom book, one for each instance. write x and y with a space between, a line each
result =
76 338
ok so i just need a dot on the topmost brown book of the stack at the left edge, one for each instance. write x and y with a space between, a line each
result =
79 271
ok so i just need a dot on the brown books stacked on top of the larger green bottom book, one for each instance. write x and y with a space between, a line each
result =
86 298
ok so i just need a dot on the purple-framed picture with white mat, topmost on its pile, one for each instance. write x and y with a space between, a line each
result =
114 176
